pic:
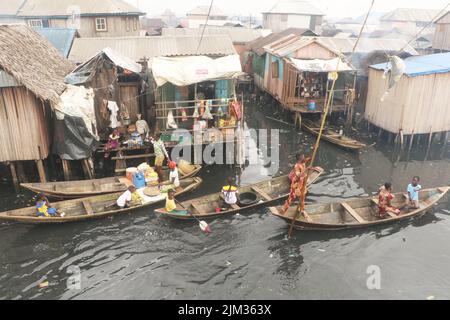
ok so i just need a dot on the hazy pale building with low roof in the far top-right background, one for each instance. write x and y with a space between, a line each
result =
408 20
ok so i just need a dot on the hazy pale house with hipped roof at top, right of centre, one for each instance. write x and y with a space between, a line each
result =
293 14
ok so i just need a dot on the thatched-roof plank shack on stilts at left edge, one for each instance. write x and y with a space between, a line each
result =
31 79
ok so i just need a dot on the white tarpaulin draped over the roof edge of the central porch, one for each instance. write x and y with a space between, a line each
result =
185 71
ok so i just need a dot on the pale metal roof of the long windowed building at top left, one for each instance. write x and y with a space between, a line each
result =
50 8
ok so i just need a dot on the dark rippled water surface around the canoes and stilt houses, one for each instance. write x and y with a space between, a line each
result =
247 256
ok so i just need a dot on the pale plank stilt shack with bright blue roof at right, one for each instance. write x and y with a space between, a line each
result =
417 103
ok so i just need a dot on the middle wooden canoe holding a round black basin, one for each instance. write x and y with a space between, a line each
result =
267 192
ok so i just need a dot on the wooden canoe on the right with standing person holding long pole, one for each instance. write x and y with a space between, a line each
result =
357 213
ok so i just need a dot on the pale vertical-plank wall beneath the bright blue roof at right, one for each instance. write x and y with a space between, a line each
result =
417 105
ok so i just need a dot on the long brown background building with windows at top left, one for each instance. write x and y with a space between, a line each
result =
100 18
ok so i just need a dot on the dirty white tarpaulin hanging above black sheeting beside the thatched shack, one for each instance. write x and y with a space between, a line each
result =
77 101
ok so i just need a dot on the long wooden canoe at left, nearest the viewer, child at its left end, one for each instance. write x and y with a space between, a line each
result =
91 208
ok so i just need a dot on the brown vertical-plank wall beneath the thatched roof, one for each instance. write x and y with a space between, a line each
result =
24 126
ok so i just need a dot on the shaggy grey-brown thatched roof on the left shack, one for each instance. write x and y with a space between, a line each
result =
33 61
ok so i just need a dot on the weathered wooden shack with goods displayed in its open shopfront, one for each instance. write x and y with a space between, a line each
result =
297 75
